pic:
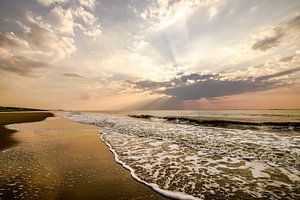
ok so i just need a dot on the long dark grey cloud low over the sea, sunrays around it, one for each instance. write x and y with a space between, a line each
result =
212 85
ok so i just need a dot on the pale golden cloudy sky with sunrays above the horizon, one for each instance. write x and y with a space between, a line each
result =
150 54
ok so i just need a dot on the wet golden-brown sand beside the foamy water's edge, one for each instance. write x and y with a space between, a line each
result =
60 159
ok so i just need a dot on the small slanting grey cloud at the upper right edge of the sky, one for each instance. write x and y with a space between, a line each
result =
277 33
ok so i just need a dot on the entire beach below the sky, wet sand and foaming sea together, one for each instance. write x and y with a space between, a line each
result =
98 155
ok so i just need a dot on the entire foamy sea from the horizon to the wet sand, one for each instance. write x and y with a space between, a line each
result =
205 154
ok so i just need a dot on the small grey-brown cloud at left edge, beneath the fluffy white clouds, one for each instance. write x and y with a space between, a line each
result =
20 65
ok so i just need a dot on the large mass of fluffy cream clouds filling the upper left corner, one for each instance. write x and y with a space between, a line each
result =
47 38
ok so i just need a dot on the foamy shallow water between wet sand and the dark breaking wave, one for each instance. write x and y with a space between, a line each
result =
205 162
